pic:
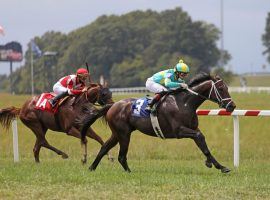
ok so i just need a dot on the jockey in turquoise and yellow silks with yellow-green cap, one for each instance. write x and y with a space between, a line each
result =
166 80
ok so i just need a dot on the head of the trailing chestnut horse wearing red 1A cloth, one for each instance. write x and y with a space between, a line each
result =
100 94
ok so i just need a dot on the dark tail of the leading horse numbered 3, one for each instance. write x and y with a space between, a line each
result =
91 118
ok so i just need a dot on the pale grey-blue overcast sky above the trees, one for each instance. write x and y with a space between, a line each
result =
244 22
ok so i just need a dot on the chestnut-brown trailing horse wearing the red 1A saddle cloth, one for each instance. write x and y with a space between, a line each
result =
63 121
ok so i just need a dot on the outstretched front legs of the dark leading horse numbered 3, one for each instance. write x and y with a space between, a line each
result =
199 139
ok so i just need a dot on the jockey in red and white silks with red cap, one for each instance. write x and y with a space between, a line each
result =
70 85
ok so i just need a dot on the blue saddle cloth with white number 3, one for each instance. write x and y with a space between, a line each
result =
138 108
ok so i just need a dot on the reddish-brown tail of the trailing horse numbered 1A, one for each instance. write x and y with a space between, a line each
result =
7 115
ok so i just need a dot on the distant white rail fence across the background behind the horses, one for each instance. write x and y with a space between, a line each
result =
231 89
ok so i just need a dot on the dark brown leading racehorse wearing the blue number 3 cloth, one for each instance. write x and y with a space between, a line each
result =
176 115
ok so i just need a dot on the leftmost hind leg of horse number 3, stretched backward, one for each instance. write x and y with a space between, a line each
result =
110 143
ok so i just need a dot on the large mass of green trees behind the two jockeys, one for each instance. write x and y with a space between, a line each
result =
125 49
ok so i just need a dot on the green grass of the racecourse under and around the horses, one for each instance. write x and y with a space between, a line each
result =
170 169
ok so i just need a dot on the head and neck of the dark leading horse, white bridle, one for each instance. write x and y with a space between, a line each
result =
214 89
